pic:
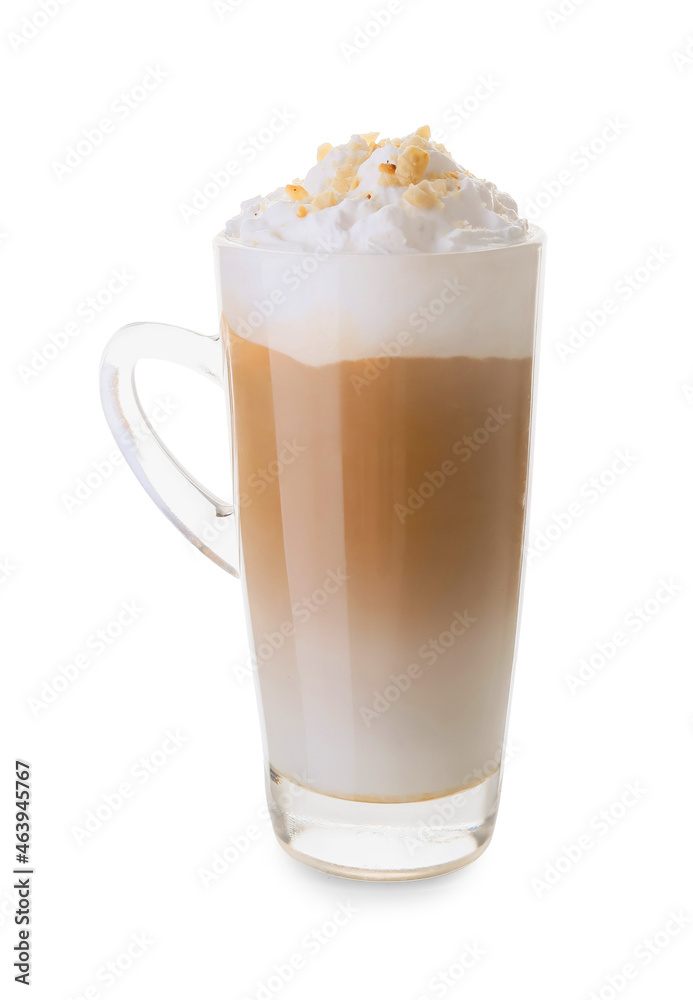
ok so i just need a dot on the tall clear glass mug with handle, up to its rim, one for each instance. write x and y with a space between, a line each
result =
381 415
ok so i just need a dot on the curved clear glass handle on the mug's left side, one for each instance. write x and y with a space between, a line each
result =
207 521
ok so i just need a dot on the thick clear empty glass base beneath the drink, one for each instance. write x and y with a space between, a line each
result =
383 841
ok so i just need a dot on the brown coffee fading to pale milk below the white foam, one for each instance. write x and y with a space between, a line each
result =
381 518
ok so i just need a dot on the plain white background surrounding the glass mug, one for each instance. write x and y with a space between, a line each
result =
555 83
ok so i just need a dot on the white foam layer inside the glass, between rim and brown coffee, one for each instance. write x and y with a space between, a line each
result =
324 308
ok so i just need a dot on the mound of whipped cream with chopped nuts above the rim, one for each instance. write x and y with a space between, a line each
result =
390 196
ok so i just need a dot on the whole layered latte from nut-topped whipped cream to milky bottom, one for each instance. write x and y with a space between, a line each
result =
378 322
